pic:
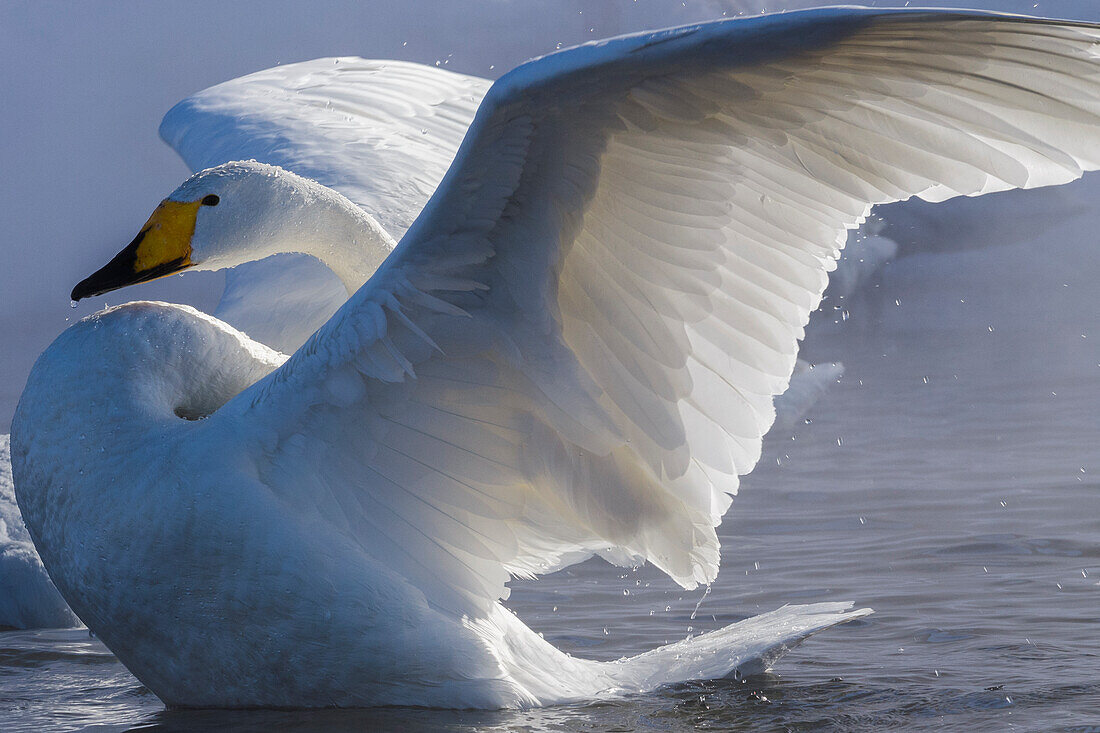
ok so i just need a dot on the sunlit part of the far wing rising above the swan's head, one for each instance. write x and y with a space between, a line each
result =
381 133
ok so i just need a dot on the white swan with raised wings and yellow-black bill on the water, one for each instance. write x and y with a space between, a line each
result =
573 351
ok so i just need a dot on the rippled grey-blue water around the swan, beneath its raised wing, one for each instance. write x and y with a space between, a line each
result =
951 482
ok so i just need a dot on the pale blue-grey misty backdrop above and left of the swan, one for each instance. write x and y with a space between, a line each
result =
85 86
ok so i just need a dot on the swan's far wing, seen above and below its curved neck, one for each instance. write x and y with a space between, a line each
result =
383 134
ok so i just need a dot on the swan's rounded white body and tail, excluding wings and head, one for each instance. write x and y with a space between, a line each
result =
335 627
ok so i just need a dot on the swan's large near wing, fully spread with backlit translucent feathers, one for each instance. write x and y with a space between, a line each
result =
576 346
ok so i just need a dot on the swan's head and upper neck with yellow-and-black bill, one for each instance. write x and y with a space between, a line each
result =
219 218
